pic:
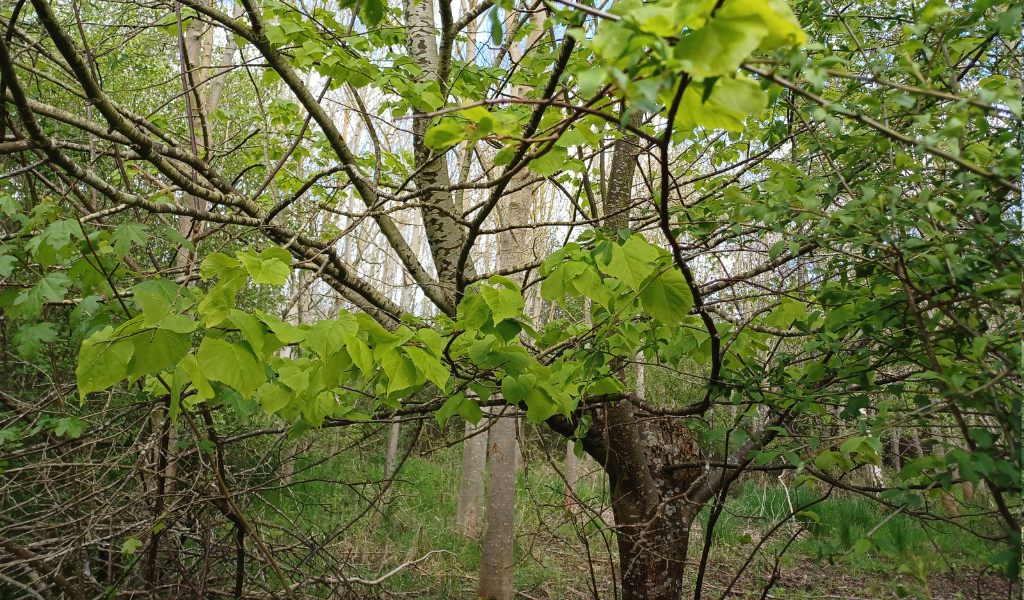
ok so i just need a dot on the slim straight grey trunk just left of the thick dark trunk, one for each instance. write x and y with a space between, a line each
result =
497 558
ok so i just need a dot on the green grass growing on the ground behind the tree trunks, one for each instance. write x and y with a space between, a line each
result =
550 550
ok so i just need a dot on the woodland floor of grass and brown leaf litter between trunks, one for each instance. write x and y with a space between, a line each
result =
552 560
